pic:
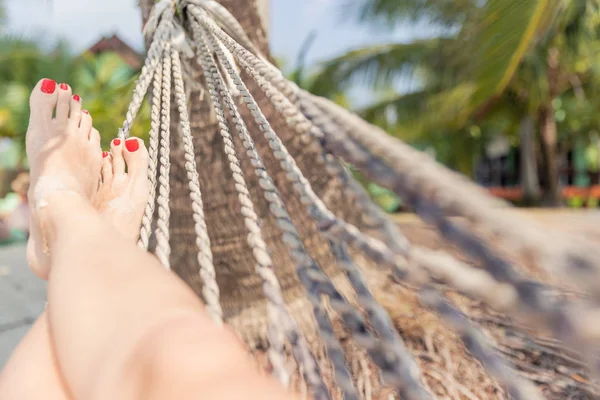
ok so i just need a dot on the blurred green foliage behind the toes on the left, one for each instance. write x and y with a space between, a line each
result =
104 82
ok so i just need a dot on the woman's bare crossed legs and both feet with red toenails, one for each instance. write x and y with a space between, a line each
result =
117 325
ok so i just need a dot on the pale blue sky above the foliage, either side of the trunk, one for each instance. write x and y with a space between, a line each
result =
83 22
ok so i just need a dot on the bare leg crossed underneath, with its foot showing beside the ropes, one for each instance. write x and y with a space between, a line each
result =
121 200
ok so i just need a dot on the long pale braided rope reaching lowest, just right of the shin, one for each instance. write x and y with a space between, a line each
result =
276 311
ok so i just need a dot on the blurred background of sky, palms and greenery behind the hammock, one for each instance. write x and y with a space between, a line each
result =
503 91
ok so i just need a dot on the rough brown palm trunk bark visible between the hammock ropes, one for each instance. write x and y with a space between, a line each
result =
240 287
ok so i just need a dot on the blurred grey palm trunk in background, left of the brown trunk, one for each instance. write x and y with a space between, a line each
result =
529 172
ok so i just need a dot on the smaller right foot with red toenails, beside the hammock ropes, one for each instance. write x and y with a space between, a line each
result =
124 190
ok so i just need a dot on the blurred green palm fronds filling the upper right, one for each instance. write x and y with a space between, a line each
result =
486 67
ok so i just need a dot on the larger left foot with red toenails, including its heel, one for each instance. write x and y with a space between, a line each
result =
65 157
